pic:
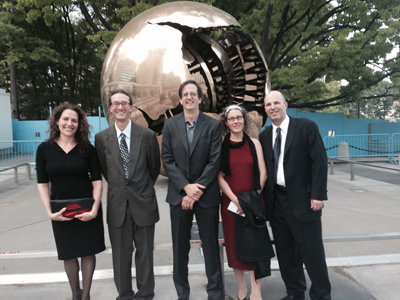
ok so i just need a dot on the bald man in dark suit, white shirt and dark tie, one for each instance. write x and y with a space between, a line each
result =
296 187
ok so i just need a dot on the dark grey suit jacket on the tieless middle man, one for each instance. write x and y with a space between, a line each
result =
200 164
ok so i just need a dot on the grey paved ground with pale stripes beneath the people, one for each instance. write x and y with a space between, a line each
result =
358 270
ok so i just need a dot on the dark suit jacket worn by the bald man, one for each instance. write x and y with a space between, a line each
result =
305 168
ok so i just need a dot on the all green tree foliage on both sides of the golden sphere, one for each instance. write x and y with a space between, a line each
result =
310 47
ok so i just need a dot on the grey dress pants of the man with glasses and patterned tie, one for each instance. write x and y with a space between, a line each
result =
122 239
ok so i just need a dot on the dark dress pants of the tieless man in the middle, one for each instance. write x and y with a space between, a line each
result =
181 224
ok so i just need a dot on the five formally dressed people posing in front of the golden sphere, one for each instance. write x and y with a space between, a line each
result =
280 177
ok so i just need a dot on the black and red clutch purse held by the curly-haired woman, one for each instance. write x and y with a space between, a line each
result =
74 206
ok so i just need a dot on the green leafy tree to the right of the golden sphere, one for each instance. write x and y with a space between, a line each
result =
310 43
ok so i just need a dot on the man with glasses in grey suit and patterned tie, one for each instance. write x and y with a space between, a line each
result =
130 161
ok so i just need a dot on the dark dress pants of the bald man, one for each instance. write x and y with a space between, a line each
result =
297 243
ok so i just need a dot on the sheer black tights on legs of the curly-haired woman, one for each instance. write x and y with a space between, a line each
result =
71 267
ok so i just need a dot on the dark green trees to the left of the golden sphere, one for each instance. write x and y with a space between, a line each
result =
55 49
